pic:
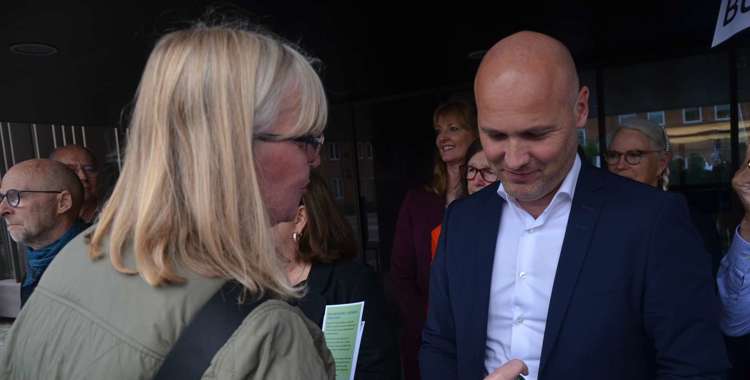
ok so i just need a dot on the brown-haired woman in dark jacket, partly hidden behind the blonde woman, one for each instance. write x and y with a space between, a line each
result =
320 250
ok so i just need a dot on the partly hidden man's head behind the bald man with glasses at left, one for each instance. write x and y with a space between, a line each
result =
82 162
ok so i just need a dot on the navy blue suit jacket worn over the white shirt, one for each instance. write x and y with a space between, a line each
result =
632 297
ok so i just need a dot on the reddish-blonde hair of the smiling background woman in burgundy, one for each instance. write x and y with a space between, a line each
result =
466 113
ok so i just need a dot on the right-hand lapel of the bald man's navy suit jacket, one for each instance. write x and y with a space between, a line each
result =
587 203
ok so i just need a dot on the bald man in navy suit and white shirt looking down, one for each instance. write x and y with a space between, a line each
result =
576 272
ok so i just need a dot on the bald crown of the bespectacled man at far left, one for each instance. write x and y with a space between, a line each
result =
47 175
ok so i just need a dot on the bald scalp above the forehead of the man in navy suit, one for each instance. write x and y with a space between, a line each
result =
528 62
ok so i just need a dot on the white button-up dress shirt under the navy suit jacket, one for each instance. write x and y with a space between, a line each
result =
523 272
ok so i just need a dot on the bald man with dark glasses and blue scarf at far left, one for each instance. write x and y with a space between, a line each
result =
40 201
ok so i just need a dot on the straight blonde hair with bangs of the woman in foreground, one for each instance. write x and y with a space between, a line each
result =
189 192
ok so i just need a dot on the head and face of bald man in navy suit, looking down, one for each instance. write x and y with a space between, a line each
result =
529 106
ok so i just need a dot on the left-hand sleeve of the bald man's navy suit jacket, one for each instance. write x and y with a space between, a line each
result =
437 359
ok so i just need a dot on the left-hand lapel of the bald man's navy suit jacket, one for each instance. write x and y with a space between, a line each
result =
488 214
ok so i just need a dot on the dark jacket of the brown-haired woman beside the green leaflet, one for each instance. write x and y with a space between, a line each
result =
347 282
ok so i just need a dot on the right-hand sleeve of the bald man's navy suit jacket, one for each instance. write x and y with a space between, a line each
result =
681 309
